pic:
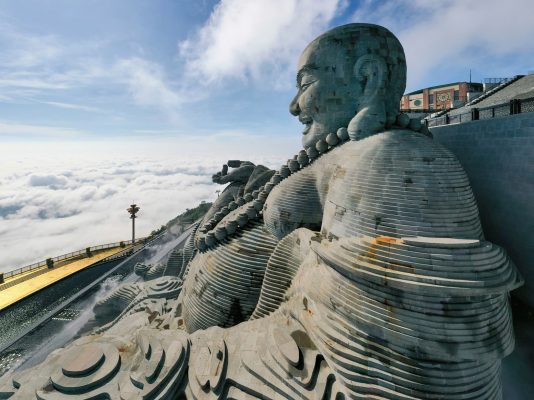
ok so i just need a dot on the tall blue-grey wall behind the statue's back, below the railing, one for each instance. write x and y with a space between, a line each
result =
498 156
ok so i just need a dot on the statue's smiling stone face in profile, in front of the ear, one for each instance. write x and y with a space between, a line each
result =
327 92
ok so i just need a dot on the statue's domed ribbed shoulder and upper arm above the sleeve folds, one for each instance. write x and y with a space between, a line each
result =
399 184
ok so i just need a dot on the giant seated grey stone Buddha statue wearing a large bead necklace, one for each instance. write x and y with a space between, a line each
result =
359 270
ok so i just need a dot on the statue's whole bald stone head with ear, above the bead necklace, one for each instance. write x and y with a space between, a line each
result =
346 71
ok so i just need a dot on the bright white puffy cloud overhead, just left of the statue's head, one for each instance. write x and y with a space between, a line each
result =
255 39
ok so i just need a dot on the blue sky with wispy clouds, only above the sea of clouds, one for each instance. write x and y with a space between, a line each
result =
149 70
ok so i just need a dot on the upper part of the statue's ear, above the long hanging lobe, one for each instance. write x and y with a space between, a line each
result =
371 70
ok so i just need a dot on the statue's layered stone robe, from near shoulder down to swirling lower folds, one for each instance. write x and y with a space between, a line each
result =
398 296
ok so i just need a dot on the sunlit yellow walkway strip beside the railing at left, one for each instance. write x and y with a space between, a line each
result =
24 289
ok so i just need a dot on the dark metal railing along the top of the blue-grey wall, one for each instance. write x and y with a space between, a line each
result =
512 107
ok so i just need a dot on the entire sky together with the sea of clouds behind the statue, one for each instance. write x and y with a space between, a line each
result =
103 102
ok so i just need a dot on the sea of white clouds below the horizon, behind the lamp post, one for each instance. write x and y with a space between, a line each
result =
57 203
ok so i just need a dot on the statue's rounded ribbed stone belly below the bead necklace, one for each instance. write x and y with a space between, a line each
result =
223 284
